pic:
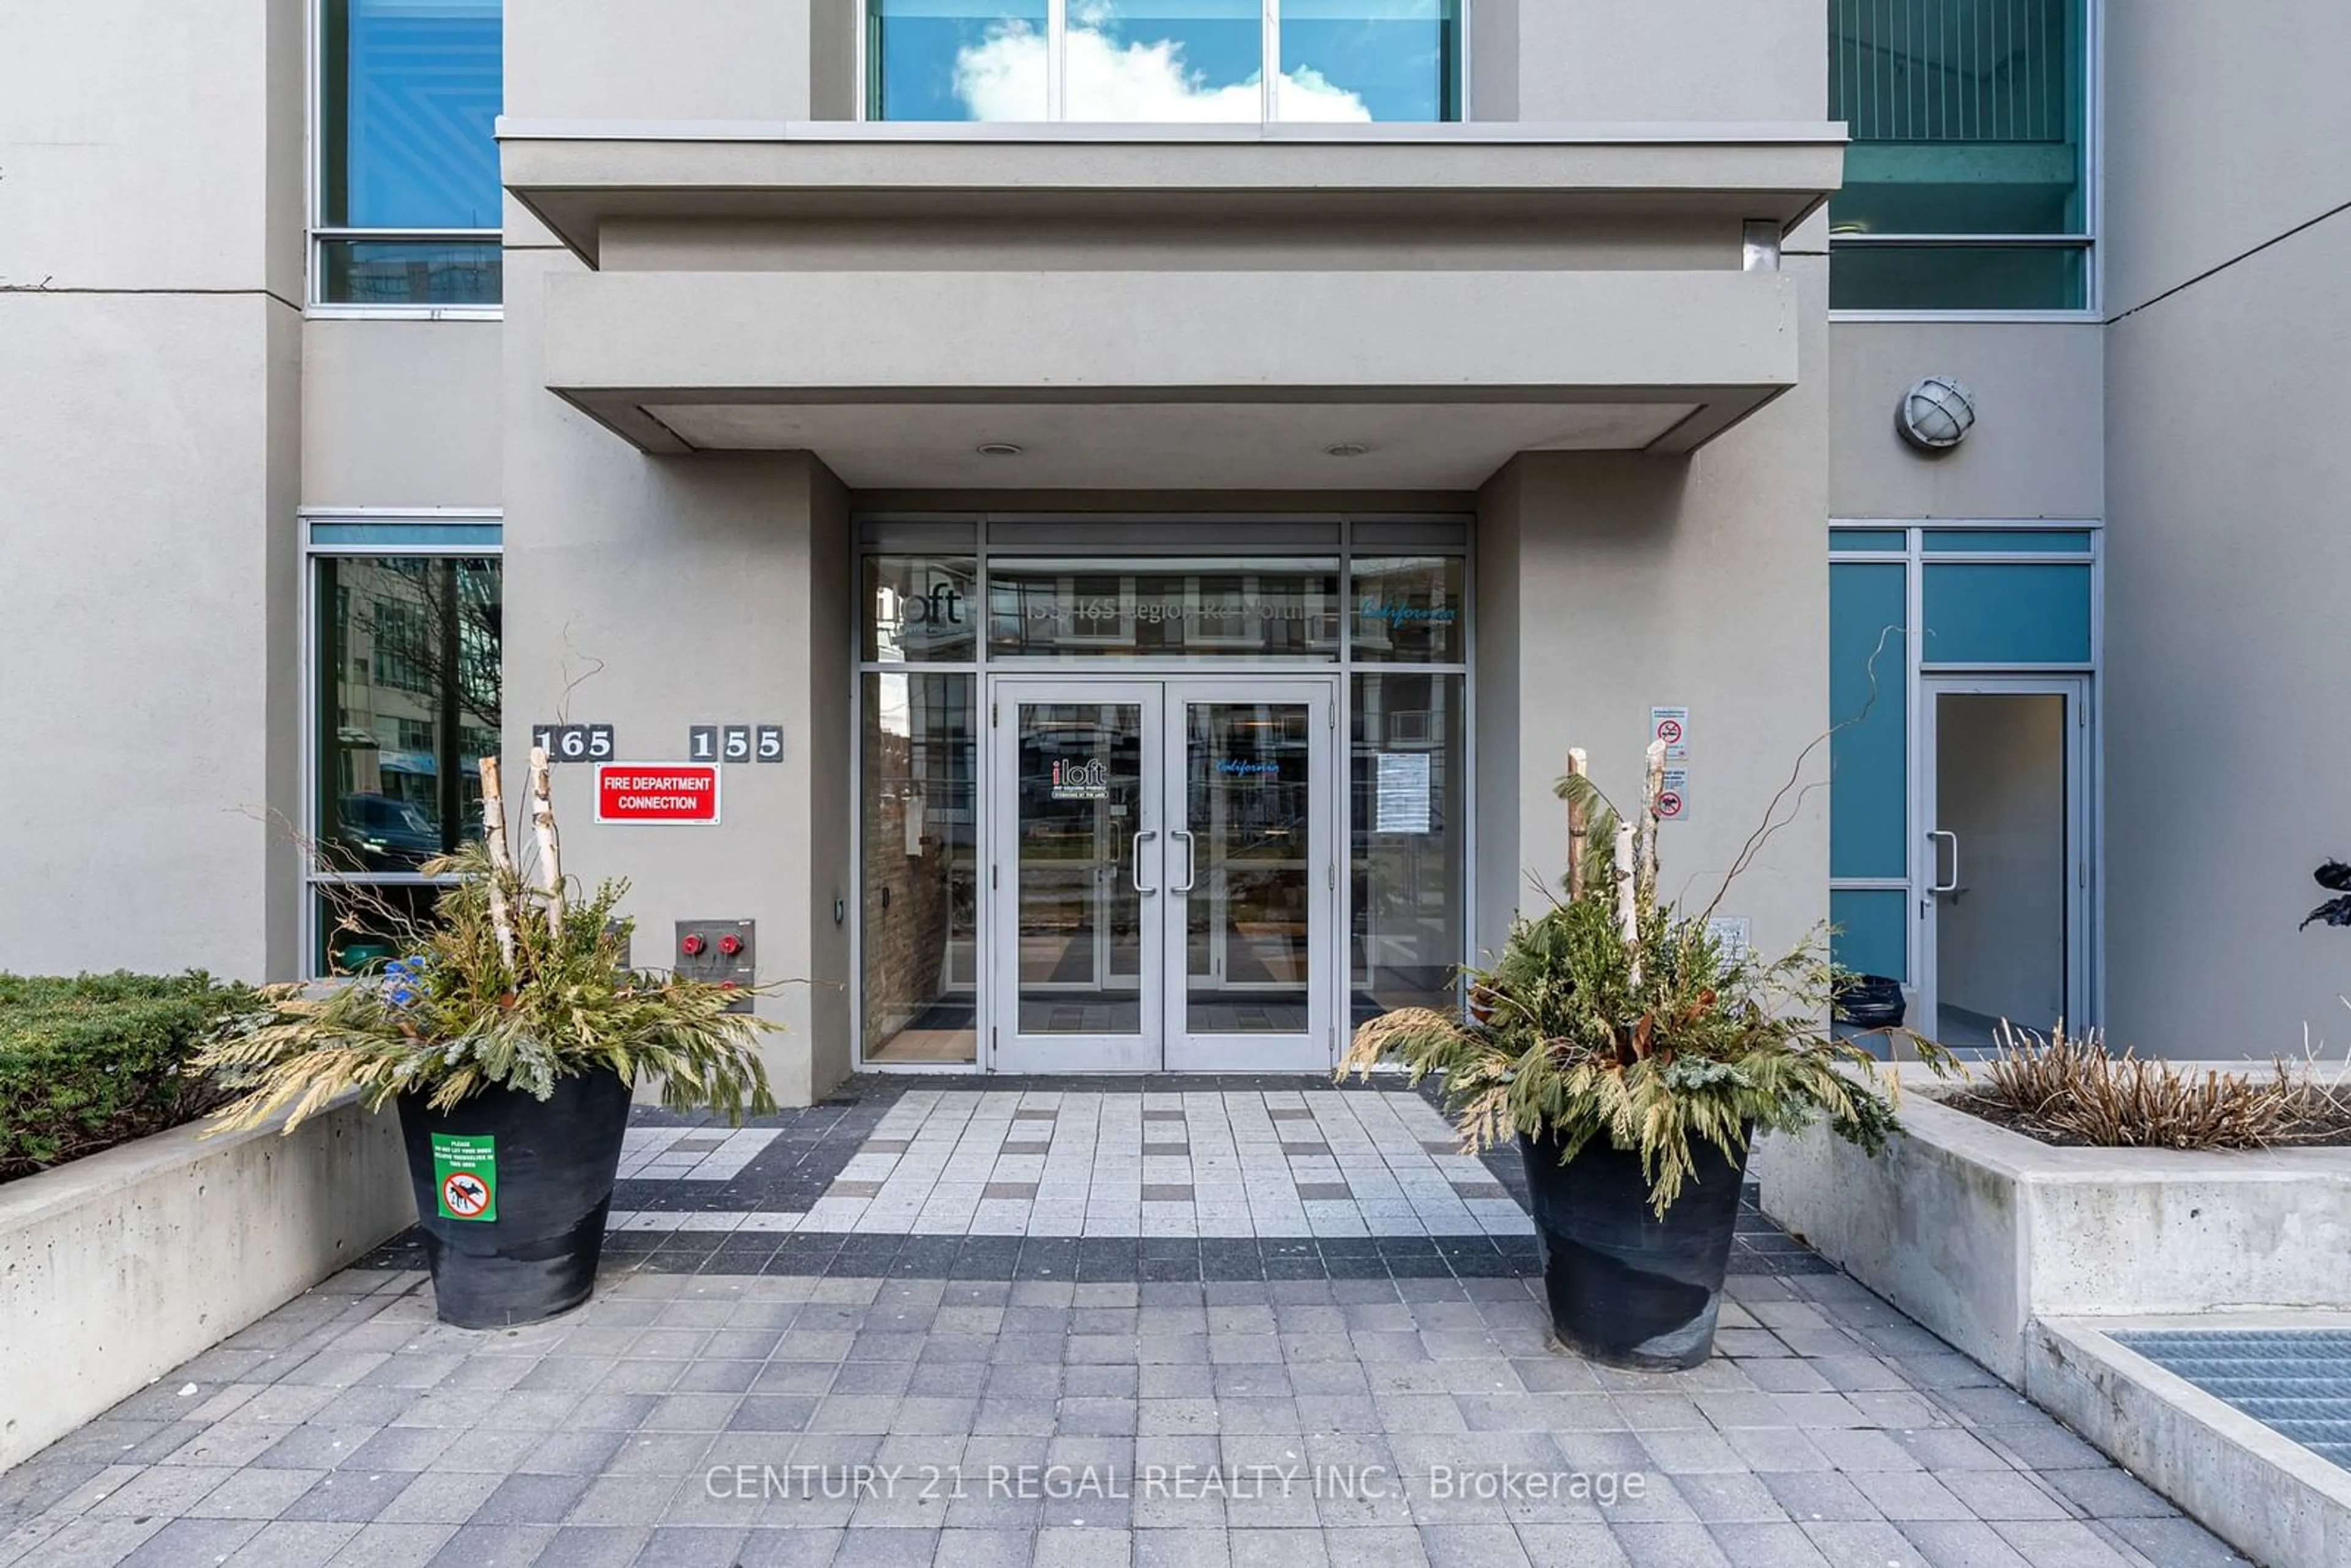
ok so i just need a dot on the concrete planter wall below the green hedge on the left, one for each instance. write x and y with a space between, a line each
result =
121 1266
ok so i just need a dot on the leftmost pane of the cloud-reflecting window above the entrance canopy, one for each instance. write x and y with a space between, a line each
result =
958 60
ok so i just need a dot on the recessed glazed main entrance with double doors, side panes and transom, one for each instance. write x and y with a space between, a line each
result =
1158 793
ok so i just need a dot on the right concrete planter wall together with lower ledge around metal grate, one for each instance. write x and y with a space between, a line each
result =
2032 1259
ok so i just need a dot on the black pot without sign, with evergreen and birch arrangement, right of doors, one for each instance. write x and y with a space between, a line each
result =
1635 1057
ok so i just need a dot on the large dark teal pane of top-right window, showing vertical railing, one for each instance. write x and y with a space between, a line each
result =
1967 116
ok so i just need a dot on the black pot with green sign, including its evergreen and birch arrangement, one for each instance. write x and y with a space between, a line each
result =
511 1038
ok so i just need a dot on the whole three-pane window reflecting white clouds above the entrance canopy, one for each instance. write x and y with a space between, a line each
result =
1165 60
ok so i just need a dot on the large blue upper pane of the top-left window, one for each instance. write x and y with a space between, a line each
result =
410 95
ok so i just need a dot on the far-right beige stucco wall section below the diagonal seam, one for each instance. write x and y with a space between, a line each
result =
2228 657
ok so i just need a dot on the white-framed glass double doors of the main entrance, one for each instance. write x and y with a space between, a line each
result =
1163 876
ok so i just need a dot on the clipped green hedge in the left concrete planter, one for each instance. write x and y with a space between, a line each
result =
95 1061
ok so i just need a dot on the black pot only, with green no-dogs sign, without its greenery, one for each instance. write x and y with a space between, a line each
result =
537 1205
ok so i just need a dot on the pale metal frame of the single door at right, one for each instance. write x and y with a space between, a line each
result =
2079 826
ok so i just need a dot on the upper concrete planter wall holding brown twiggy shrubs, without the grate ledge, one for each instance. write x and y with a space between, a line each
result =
1978 1231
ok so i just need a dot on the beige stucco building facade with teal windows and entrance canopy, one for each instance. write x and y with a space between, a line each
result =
1137 500
